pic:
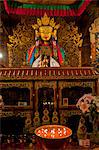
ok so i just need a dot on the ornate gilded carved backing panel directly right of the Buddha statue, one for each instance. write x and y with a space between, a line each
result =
71 40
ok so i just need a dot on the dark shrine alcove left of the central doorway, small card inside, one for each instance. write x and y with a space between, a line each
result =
16 96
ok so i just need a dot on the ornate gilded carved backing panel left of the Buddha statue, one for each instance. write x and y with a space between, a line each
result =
19 43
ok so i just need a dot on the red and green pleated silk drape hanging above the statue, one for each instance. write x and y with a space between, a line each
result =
13 7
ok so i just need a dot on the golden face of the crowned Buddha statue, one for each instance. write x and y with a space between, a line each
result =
45 32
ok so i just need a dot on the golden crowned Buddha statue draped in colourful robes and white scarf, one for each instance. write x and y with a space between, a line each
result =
46 52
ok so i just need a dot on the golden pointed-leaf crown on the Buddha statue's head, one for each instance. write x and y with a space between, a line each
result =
45 21
